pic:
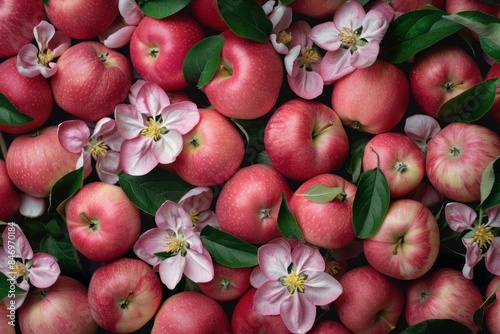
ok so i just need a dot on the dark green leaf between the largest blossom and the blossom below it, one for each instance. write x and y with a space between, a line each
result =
150 191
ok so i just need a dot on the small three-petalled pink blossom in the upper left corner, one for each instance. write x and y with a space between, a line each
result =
32 61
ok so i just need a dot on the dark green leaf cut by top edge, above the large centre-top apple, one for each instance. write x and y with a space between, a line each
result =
246 19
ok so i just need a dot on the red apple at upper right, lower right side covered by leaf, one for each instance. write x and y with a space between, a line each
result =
440 73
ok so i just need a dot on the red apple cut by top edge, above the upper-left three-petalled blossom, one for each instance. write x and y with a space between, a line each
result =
82 19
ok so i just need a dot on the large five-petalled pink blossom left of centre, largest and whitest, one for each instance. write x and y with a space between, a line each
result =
153 129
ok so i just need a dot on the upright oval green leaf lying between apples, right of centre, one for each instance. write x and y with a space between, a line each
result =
370 203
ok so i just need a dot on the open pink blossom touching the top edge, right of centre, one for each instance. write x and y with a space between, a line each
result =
352 40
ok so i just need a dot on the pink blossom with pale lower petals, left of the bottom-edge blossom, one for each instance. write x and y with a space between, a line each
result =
174 248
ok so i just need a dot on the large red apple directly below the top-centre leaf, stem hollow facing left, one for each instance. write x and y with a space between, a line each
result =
248 80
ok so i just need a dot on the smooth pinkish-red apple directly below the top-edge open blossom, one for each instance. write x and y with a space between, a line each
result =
365 100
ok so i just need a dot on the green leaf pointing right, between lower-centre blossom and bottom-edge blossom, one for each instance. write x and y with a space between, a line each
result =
227 249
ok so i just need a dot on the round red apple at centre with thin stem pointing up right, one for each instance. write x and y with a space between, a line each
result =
301 130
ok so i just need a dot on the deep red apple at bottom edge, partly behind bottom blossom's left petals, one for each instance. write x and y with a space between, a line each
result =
245 320
